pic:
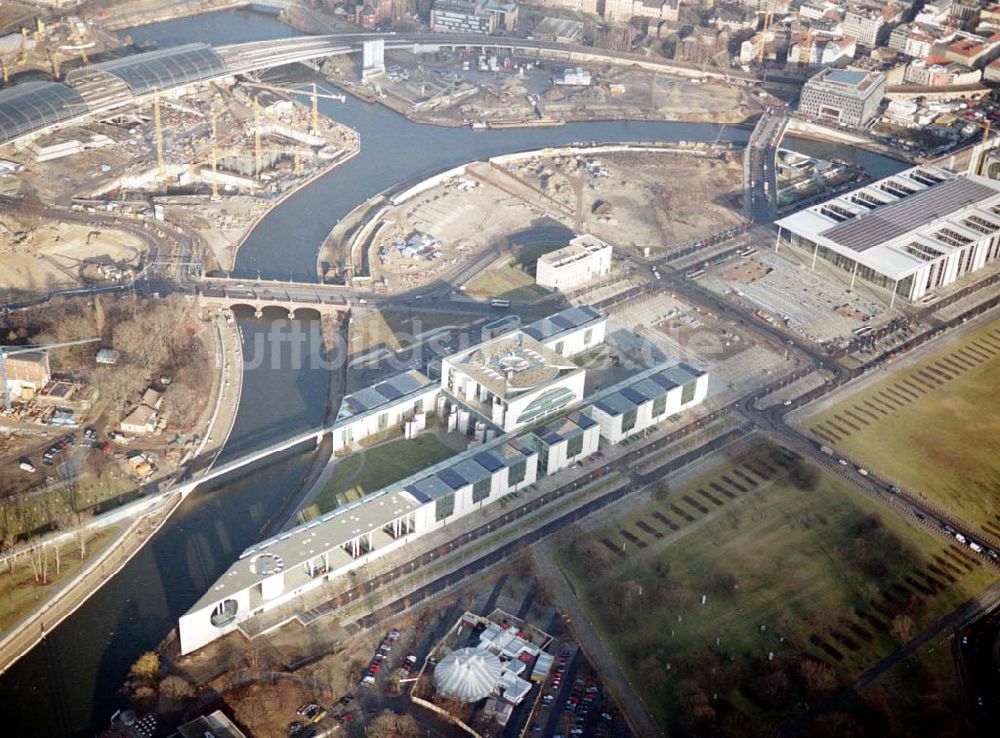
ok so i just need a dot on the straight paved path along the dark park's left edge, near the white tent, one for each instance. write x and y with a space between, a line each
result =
590 641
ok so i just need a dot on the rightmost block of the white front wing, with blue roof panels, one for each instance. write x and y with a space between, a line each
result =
633 406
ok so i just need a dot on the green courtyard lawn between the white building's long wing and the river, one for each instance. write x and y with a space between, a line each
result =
366 471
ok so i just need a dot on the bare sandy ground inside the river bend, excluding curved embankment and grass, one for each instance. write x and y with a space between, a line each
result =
648 199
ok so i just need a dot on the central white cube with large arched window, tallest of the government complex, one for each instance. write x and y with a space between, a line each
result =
511 381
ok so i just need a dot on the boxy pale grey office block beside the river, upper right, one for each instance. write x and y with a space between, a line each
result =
847 97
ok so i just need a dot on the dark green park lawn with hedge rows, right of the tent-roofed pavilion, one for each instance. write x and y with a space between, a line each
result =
738 598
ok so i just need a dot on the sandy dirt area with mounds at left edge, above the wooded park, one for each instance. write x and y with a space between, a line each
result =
53 256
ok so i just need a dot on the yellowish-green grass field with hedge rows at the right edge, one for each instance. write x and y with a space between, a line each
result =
933 426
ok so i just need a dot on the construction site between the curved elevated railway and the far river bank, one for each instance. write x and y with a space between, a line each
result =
497 90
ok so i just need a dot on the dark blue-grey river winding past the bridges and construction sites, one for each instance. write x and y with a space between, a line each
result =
68 685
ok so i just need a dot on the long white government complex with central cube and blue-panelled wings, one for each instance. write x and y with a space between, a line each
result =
536 389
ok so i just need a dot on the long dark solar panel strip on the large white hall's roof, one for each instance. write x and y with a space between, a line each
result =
893 220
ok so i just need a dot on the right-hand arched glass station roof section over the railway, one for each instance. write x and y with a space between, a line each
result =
164 68
